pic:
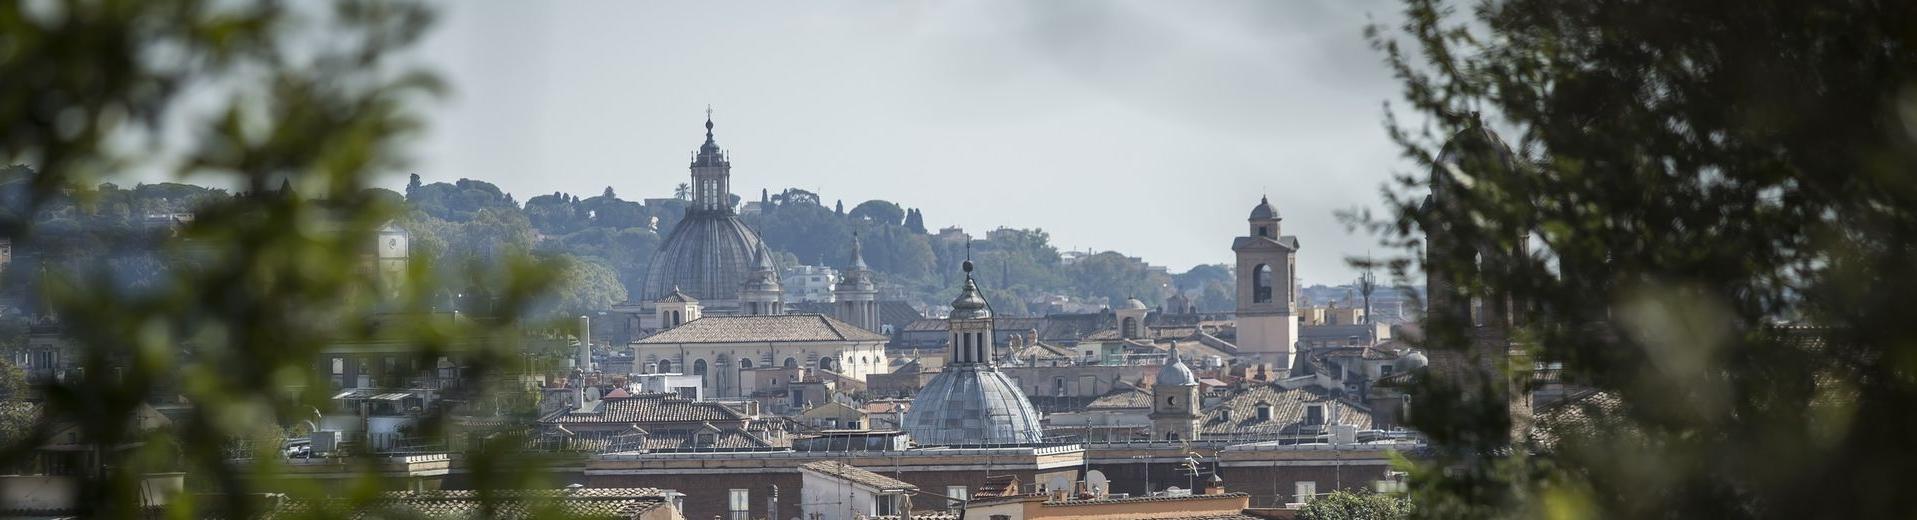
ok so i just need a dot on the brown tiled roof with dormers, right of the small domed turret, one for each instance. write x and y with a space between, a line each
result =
1239 412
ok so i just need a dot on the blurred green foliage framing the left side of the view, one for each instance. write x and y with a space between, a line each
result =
256 285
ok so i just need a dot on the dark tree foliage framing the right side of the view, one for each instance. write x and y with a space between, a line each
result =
1688 177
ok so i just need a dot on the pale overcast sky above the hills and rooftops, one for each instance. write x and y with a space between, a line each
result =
1142 128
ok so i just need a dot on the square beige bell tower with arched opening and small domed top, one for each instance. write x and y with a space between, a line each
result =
1268 287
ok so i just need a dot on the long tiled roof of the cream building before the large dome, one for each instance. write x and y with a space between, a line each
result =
764 329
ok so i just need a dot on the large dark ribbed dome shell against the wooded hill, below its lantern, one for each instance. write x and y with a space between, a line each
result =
708 256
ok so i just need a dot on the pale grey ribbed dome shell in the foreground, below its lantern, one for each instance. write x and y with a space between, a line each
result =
973 404
